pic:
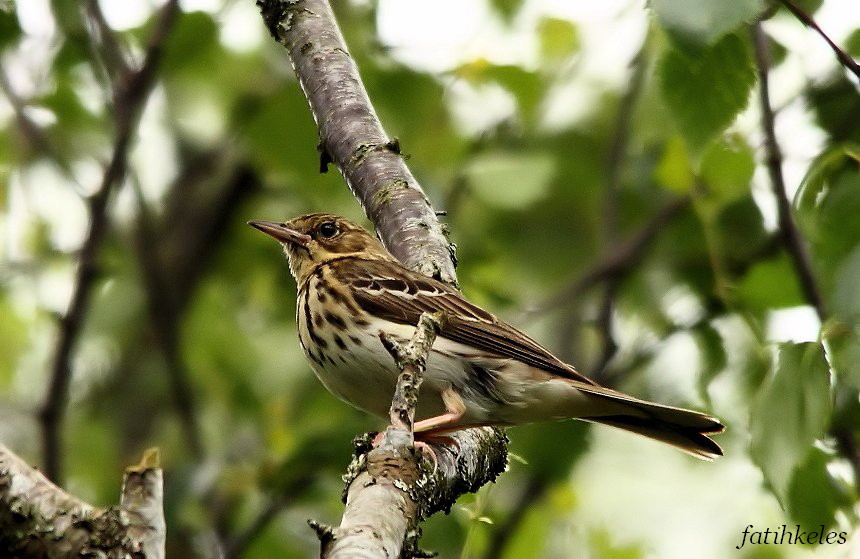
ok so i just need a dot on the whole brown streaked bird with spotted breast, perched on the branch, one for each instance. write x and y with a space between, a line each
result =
480 370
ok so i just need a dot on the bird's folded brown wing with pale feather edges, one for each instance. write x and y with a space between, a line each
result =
391 292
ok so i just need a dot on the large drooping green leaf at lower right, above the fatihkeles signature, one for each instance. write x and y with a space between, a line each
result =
792 411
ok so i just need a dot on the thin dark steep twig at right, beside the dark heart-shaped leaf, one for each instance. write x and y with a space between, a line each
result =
790 234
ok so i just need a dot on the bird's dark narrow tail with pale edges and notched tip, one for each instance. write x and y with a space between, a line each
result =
684 429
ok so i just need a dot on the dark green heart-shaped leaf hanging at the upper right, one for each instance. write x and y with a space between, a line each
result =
705 89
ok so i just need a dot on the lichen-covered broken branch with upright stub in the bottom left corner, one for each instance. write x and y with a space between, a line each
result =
39 519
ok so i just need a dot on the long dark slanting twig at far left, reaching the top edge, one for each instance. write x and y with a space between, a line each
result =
135 90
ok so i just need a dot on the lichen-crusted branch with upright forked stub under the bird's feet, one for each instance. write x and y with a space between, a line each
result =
390 494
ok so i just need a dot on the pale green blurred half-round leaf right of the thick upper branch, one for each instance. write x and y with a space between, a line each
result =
510 180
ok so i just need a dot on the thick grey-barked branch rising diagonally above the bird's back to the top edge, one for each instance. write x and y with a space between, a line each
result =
352 137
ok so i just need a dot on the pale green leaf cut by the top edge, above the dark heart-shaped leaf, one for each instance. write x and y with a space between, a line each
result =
703 21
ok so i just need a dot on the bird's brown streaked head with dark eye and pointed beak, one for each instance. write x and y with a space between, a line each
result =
313 239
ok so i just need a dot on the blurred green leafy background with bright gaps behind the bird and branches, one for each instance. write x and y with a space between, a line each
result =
553 134
